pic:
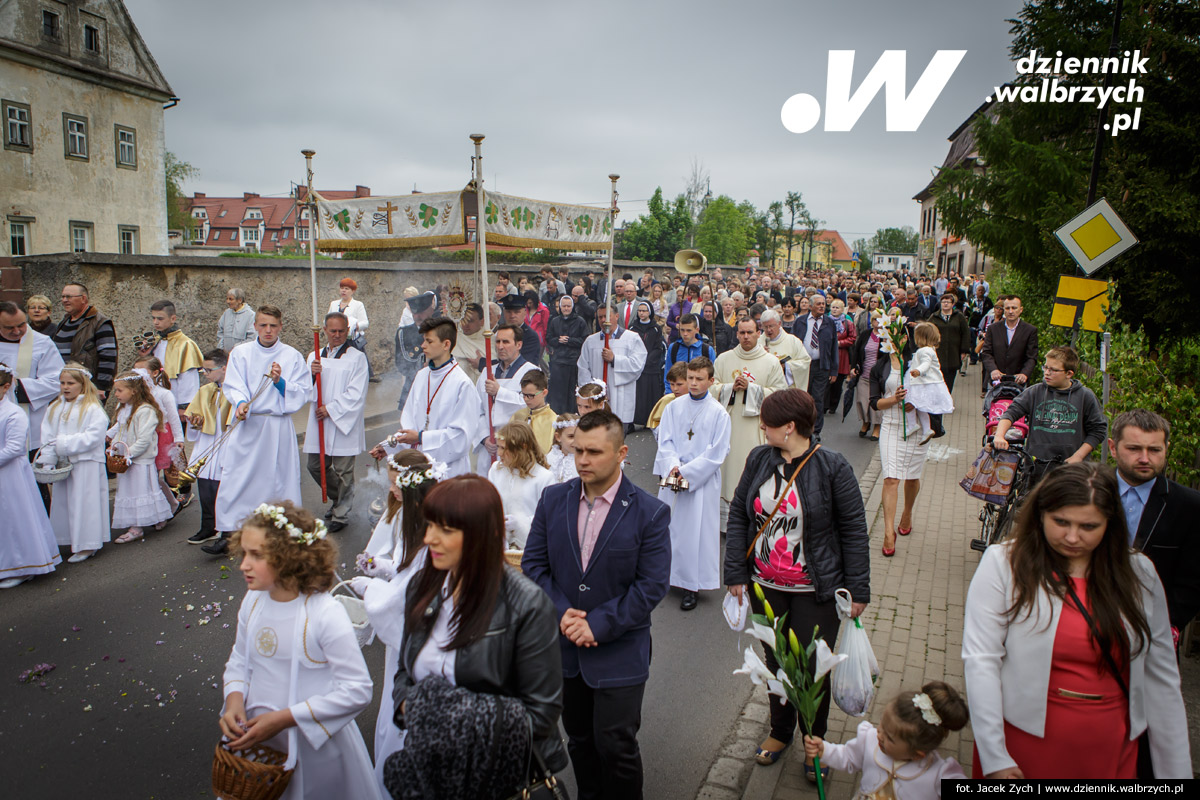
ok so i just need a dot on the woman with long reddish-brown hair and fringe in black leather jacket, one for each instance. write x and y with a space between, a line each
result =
481 625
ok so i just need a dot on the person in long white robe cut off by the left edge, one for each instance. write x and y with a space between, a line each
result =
28 546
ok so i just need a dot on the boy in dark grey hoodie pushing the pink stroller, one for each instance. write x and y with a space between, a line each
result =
1065 418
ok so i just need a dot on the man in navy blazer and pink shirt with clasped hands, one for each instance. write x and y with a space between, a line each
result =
601 548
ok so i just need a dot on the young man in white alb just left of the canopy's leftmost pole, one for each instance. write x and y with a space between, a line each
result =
261 458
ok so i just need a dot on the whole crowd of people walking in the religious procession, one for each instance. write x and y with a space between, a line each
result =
515 568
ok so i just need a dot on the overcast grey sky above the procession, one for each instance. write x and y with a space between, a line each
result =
387 93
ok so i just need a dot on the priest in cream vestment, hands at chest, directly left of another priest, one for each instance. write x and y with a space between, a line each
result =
747 375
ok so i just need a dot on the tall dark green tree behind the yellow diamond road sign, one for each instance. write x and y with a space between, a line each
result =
1037 159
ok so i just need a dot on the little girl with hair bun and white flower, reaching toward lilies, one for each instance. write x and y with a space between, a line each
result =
899 759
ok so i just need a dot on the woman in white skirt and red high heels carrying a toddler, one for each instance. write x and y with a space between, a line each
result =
902 452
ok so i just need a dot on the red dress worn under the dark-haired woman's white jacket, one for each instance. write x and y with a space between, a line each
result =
1084 738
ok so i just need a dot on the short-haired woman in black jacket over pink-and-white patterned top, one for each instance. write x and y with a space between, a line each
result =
813 543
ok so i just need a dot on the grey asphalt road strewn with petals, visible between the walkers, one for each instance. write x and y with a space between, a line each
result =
139 637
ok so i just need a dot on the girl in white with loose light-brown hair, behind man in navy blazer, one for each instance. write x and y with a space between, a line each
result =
520 474
